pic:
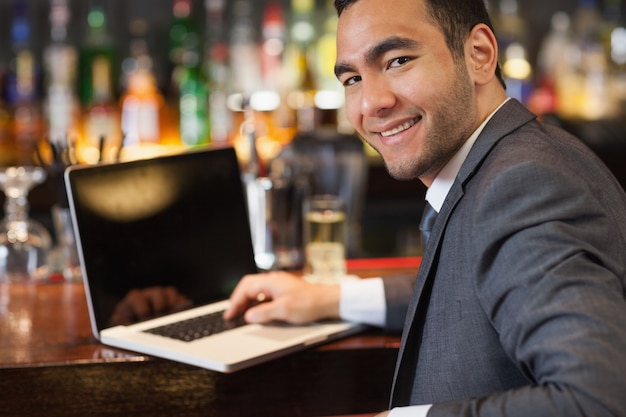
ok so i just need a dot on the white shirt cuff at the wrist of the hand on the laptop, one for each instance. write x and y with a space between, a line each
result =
363 301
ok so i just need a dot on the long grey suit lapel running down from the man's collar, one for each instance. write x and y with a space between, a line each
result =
508 118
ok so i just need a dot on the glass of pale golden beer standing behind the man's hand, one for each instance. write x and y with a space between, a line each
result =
324 234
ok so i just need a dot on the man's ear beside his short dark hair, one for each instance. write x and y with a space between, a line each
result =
481 52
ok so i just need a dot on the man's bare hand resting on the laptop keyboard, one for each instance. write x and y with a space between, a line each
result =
284 297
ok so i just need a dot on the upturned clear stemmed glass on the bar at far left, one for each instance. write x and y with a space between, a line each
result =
24 242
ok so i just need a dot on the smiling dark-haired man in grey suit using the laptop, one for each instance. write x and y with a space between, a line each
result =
519 305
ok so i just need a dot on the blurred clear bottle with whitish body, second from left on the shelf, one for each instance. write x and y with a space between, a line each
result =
60 62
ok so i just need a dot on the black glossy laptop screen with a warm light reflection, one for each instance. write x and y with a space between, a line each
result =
176 222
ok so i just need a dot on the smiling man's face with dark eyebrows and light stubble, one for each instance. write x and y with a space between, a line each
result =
405 95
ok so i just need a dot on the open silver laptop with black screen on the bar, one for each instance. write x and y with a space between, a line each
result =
171 236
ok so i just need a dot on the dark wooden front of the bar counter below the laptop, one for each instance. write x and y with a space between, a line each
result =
311 383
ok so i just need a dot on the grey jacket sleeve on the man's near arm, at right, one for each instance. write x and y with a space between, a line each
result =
549 273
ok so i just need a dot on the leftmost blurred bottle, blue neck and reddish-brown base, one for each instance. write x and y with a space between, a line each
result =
21 88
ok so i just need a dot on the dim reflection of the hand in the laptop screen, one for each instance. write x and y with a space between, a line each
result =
145 303
